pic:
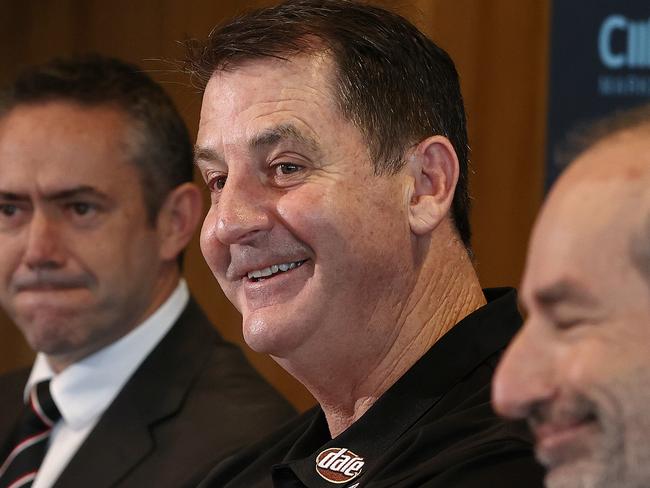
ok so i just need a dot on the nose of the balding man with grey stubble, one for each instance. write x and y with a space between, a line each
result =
524 376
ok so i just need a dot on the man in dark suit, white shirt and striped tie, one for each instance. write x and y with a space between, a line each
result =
131 386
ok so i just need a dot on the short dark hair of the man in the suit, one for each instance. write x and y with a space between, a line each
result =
164 151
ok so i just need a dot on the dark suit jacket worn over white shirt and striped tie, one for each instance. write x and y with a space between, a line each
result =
194 400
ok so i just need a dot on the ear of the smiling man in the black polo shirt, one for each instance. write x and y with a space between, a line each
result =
434 166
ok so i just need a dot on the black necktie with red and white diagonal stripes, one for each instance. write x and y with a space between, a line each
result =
30 439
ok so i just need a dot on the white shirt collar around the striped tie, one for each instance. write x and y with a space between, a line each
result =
85 389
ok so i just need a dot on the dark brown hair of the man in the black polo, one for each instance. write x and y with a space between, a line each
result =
392 82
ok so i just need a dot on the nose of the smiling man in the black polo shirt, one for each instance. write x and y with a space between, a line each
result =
242 212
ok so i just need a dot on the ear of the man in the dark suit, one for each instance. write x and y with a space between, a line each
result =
178 219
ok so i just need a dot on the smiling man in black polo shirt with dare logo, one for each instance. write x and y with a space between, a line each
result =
333 142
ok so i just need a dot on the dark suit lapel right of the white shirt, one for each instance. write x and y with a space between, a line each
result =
122 439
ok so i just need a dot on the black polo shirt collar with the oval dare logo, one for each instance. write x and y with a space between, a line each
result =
456 354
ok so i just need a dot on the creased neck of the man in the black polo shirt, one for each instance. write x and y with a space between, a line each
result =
346 383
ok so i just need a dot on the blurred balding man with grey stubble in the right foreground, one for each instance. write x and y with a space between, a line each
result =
579 370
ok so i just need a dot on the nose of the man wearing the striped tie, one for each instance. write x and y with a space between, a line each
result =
44 248
